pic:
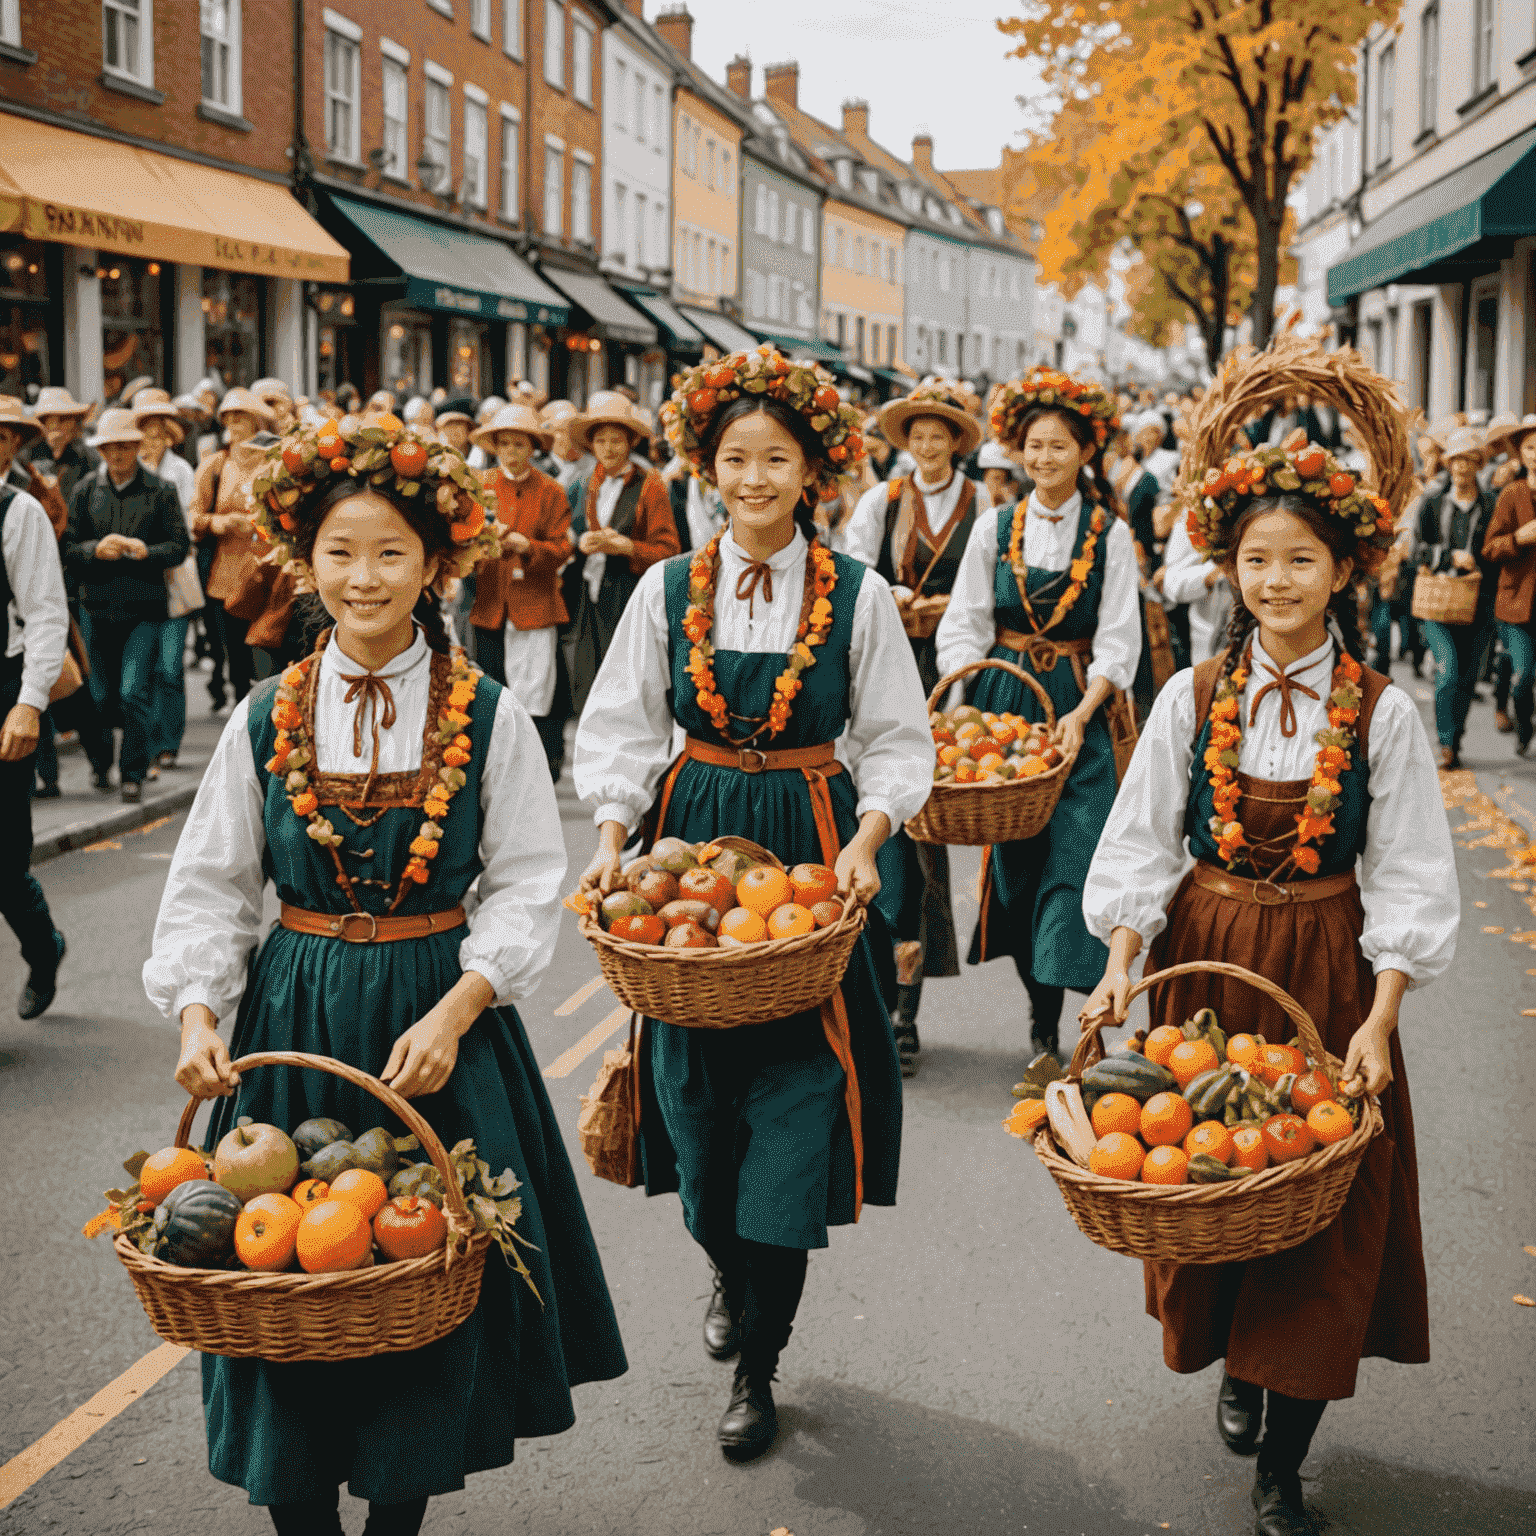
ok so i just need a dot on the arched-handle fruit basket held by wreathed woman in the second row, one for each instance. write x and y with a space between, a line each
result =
998 776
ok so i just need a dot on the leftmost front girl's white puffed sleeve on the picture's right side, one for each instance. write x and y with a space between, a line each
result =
515 921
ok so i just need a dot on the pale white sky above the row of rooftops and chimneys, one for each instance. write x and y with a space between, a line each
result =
933 65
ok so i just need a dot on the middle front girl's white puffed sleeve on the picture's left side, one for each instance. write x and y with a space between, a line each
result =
626 733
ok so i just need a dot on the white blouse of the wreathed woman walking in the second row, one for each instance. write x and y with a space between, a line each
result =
968 631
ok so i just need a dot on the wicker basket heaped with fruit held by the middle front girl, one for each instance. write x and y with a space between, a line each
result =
721 935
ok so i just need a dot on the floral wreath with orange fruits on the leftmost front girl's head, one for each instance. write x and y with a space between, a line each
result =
377 454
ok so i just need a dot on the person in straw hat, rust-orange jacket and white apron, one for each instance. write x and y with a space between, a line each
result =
518 606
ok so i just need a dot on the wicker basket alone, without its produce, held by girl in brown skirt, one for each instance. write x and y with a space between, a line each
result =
1248 1219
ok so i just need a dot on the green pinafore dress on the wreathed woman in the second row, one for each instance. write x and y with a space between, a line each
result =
1033 893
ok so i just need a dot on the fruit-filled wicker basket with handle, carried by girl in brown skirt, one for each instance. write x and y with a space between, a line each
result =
1202 1150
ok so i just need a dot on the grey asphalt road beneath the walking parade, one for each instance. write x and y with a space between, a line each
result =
964 1363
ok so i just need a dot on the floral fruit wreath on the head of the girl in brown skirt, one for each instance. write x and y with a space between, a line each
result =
1294 468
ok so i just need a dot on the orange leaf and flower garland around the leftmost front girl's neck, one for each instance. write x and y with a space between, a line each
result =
293 755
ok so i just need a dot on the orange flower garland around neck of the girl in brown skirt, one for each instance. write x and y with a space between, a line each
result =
1323 792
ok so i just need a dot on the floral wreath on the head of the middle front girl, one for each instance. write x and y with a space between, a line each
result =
806 388
